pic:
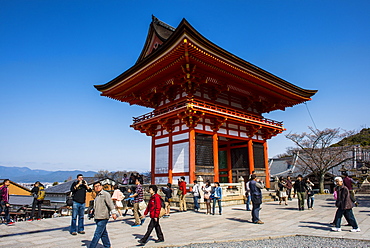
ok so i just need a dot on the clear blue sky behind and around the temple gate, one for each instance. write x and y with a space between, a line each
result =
53 52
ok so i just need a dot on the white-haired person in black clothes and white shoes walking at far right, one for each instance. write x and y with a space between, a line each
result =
344 205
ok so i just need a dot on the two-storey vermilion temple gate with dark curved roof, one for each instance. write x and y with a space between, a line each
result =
208 104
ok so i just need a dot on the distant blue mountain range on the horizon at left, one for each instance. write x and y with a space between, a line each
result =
26 175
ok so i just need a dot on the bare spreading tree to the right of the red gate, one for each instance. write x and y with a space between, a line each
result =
316 154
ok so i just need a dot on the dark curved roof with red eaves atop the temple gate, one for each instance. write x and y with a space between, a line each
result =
165 48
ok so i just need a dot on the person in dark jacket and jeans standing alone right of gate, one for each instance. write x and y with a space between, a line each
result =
256 195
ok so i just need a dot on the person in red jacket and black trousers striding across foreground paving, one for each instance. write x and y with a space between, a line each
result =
154 208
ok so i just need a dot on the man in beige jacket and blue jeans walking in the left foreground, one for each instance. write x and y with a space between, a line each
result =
103 206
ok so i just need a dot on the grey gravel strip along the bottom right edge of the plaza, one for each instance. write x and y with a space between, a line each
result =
295 241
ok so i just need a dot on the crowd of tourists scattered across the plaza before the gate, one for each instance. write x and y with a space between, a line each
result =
131 196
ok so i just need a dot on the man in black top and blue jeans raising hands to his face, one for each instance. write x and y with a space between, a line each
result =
78 189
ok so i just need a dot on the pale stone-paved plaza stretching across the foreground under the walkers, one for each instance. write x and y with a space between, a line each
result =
186 228
